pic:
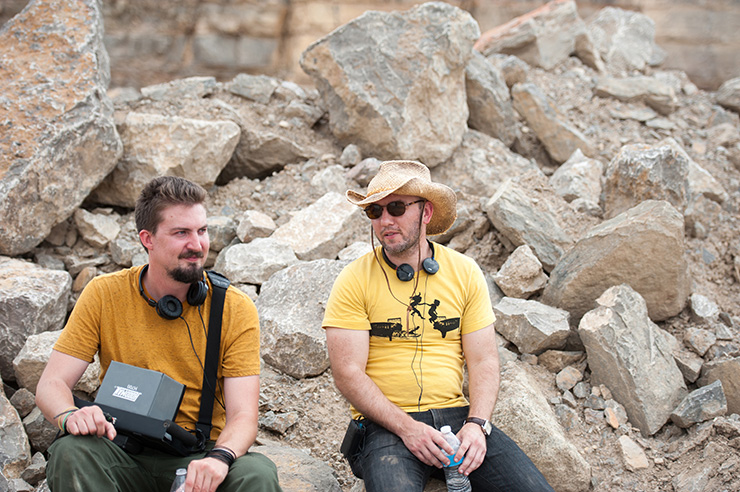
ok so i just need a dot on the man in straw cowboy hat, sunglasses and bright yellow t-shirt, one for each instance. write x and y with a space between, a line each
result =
400 322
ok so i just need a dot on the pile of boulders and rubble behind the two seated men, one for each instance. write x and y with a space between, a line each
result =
598 191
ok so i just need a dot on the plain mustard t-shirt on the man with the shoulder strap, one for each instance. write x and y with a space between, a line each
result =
111 317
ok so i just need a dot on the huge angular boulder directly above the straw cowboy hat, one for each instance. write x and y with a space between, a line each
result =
383 77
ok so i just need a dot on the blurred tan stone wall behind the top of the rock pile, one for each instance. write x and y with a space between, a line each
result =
153 41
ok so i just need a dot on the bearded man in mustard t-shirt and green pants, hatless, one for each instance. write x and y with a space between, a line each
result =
127 317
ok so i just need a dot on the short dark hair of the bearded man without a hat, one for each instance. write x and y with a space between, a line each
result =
160 193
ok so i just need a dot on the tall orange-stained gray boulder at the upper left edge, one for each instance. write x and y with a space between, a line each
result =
58 136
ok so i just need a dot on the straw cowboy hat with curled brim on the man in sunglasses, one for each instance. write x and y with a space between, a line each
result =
411 178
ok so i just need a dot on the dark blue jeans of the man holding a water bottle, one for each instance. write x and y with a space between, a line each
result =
387 465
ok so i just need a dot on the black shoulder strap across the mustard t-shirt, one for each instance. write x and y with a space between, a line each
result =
213 345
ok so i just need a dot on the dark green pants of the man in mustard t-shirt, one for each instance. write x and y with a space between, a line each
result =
92 464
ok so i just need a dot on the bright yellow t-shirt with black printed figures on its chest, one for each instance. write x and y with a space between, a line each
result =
415 356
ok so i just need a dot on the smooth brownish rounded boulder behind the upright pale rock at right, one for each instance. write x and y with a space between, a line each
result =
643 247
